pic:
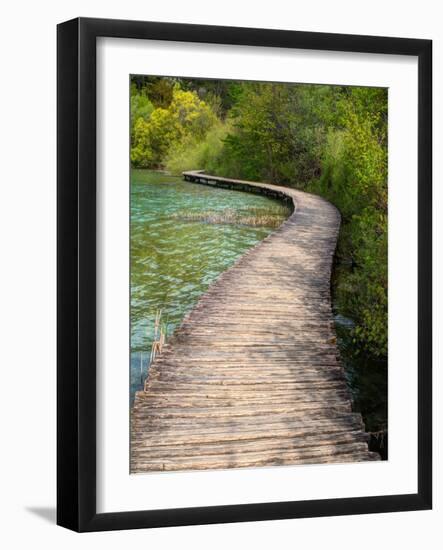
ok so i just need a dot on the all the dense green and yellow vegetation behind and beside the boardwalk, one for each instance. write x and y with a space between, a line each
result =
330 140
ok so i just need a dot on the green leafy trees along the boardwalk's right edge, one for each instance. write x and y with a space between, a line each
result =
354 177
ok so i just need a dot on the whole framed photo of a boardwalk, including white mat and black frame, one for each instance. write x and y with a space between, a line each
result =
244 274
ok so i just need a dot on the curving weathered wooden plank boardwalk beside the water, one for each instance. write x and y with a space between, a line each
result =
252 377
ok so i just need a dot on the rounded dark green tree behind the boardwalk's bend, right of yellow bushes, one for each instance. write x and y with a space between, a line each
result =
275 136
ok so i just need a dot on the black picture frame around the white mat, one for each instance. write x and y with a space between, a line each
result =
76 265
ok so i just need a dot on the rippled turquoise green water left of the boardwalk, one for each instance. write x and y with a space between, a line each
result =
174 260
